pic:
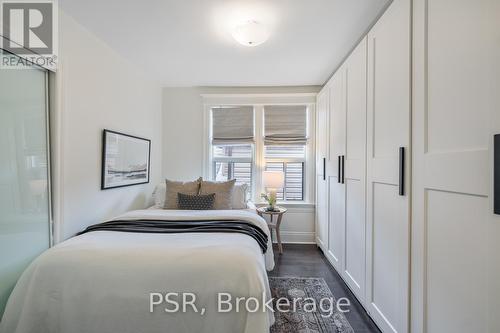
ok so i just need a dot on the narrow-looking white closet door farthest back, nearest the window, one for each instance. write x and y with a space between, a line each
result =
322 109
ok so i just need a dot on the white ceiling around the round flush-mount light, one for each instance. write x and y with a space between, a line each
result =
189 43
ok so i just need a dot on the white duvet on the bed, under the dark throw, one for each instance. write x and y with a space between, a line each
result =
100 282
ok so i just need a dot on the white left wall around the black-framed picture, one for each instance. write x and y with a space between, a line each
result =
96 88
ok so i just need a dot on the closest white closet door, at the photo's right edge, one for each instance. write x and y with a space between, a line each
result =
456 236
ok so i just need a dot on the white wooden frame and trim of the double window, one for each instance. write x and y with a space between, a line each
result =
258 101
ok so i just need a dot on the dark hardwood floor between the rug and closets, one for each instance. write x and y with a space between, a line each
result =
309 261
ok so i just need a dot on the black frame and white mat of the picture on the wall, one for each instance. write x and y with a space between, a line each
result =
105 185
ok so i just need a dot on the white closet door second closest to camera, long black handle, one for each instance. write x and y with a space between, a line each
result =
388 122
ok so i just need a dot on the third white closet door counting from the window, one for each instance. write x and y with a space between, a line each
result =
355 169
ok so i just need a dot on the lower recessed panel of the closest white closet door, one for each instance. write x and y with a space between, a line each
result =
457 262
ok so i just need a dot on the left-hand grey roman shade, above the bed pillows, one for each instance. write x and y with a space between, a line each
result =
232 125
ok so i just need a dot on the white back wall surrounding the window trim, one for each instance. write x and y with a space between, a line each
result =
183 145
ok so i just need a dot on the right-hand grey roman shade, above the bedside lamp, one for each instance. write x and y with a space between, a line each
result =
285 125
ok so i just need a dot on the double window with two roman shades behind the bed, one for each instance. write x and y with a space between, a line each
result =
246 140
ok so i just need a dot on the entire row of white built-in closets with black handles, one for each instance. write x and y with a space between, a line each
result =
405 167
